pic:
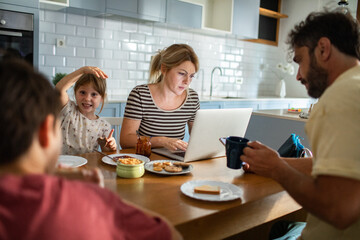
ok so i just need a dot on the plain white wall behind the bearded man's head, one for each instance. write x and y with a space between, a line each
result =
298 11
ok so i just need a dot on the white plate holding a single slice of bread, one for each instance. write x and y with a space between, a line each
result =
228 191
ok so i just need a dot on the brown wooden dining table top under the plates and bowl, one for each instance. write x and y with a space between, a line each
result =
262 199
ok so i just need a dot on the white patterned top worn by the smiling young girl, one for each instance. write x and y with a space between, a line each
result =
80 134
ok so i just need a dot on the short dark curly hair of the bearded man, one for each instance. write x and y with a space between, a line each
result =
342 30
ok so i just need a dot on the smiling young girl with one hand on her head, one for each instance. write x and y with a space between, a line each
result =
83 131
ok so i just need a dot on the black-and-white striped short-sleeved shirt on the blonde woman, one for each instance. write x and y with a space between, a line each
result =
156 121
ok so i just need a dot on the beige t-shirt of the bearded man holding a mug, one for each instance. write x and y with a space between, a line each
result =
334 133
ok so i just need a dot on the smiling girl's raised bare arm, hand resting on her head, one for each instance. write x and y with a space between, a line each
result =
66 82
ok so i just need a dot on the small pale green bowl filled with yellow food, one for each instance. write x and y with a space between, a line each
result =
130 168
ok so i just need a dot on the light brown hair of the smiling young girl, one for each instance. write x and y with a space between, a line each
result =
99 84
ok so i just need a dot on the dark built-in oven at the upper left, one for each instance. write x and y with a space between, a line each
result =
16 35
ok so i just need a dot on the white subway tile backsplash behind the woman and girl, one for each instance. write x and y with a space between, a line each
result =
123 49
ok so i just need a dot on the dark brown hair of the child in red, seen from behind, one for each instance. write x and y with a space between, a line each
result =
26 99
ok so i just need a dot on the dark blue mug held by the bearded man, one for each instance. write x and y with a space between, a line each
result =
234 149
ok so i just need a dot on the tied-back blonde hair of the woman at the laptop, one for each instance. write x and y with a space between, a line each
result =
171 57
